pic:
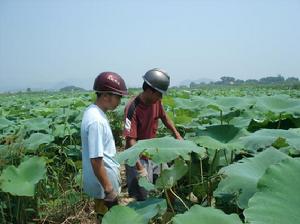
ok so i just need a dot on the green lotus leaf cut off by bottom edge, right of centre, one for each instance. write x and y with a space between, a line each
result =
205 215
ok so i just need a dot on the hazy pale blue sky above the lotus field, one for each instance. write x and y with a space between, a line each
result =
44 43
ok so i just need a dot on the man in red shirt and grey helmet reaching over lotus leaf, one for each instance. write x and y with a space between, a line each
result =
141 122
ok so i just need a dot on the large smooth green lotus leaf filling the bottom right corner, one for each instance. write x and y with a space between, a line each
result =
277 200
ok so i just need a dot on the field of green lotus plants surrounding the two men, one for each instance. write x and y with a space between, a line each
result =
238 163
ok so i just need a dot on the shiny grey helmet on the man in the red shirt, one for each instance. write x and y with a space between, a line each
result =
157 79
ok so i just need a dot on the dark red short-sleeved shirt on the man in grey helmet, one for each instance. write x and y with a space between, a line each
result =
141 120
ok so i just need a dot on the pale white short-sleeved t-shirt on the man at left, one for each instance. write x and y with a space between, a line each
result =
97 141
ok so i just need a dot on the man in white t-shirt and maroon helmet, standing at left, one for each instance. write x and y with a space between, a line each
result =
101 177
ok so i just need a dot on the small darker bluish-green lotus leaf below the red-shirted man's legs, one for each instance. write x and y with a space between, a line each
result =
149 208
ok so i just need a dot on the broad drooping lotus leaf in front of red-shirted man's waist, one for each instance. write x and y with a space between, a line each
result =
160 150
